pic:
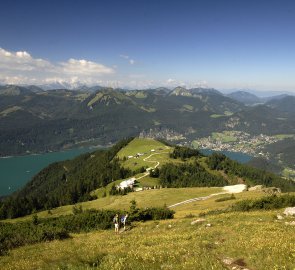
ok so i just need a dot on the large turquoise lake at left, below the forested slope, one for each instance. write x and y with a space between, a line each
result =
17 171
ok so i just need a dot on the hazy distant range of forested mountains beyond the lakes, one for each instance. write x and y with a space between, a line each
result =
34 121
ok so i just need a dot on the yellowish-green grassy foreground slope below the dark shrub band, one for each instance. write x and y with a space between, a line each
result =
255 239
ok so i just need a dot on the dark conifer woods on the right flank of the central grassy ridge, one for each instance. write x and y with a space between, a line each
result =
193 174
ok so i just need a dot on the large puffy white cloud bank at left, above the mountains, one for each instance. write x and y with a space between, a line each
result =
20 67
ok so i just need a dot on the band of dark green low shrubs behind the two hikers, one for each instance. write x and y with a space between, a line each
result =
13 235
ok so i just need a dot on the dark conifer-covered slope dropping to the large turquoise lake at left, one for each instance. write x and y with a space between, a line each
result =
66 182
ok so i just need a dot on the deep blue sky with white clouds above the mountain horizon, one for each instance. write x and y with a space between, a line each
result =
225 44
